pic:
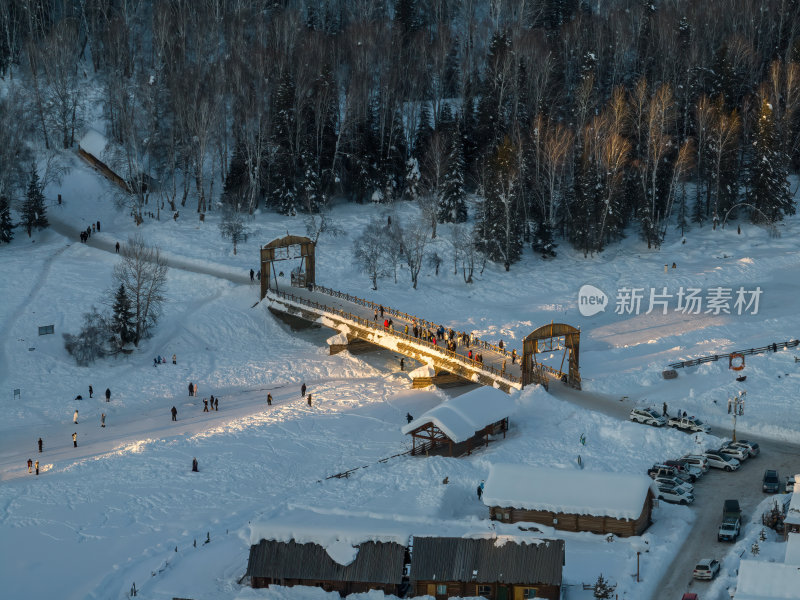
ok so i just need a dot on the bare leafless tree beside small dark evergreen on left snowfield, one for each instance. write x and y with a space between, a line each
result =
143 272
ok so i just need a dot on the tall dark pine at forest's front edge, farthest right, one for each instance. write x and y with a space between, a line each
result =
768 189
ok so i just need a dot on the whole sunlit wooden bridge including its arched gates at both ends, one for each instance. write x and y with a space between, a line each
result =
360 323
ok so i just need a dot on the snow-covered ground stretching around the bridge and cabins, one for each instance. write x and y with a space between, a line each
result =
124 506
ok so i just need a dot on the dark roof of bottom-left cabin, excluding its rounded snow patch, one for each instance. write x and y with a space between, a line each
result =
376 562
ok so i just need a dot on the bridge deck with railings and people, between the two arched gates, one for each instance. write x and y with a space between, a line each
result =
342 308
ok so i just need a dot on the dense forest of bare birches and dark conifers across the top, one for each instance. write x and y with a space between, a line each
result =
570 120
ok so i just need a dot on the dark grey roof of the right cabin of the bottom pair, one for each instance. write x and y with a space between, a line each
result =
487 560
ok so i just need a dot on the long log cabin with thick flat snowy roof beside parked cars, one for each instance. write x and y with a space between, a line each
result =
571 500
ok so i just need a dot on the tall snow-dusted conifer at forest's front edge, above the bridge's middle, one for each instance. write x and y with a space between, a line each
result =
500 234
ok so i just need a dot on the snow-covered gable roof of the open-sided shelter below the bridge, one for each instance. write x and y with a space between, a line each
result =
459 418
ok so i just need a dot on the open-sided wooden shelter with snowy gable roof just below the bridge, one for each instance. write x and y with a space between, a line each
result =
459 425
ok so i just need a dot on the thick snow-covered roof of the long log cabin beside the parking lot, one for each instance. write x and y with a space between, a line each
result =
616 495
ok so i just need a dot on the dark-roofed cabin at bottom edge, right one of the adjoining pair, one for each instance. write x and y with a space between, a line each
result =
502 568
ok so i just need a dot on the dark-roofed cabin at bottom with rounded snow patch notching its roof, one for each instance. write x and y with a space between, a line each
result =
339 567
